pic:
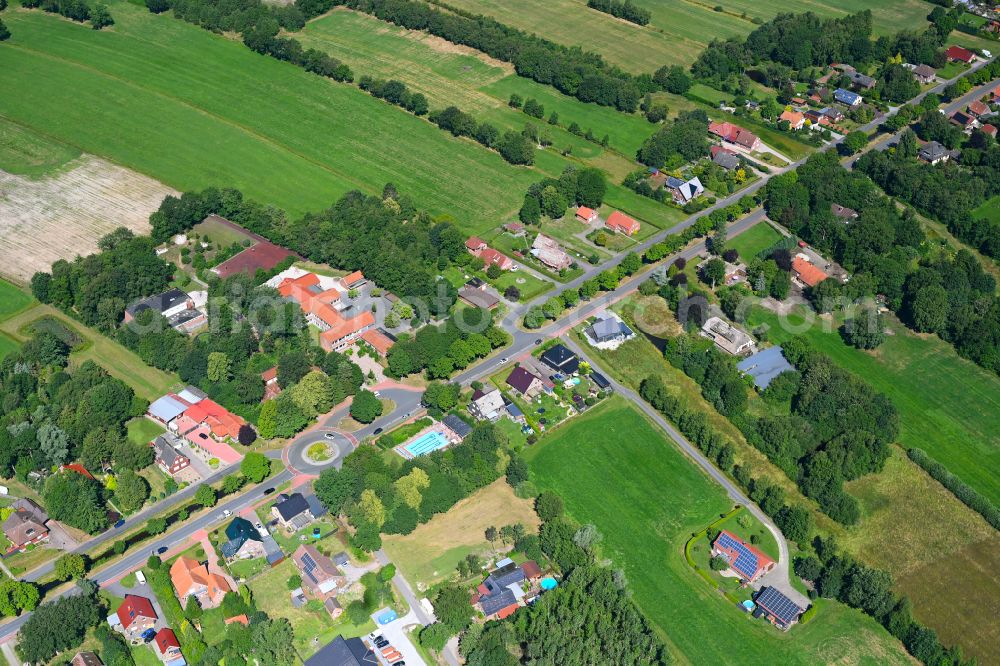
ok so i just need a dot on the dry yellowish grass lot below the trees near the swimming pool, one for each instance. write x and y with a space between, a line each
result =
431 553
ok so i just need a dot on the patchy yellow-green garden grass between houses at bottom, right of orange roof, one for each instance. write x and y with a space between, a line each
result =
312 629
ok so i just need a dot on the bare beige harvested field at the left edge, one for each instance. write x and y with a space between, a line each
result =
64 215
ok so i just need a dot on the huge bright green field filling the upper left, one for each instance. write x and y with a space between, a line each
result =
193 109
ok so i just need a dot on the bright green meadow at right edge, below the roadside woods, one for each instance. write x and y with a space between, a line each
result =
948 406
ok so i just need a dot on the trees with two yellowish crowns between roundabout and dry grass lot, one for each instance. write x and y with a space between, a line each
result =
382 498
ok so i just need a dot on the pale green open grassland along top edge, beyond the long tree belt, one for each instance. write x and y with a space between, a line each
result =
678 30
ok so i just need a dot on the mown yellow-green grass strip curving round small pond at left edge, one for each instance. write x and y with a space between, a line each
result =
146 381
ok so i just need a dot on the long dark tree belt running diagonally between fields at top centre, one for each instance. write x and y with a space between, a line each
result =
581 74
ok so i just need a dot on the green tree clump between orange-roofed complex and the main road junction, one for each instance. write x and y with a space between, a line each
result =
453 345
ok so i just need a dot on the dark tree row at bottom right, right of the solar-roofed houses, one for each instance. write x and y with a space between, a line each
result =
839 576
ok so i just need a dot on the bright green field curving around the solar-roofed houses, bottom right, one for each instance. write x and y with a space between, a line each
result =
613 469
